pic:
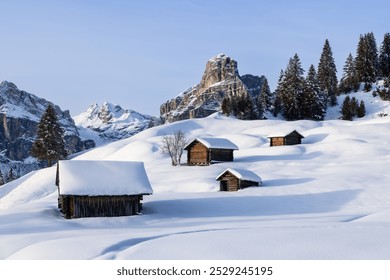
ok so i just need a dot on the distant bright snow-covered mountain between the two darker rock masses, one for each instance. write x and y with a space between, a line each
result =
110 122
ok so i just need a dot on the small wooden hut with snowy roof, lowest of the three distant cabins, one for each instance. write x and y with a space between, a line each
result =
236 179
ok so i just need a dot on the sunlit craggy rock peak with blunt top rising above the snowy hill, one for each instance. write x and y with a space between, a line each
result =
220 79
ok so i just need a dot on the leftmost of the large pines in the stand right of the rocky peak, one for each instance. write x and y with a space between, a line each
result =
292 89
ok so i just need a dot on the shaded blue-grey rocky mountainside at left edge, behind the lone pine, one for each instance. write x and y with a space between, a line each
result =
20 113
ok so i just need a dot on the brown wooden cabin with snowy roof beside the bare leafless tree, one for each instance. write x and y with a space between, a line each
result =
204 151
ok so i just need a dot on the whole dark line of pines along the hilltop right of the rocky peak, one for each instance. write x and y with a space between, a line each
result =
307 97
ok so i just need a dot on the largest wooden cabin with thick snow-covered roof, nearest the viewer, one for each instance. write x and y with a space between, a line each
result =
101 188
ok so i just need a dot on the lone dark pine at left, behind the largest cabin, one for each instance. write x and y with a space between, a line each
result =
49 144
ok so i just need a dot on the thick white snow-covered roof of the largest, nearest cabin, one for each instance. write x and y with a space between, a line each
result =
90 177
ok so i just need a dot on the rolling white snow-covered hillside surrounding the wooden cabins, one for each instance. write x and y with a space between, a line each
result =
328 198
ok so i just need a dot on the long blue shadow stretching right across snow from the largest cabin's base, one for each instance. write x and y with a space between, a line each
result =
249 206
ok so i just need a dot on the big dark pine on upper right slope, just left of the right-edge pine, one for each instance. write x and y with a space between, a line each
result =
367 64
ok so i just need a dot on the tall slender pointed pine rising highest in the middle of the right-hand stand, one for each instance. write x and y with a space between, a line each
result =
327 78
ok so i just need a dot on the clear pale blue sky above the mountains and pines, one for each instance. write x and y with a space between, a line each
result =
141 53
